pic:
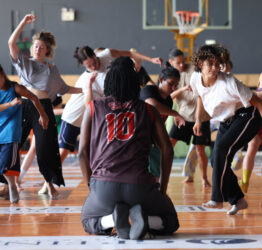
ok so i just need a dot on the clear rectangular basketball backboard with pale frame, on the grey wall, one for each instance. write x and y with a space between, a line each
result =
213 14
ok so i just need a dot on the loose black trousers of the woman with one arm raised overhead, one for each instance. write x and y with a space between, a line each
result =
47 150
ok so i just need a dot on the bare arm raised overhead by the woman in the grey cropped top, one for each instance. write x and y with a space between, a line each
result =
14 50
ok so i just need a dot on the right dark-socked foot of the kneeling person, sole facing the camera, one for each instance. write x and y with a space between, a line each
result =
139 226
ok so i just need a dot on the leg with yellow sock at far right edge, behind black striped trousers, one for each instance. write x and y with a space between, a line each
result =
248 162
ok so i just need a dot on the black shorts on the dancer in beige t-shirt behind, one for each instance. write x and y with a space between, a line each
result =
184 133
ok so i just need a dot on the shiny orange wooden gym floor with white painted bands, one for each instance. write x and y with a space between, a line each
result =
40 223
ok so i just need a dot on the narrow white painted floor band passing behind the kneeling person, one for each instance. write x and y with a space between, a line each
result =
77 210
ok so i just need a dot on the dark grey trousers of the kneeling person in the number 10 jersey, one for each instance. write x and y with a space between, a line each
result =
104 195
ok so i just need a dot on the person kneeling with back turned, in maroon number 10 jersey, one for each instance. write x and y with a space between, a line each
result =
114 160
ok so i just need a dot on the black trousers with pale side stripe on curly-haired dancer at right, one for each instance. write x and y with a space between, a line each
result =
232 135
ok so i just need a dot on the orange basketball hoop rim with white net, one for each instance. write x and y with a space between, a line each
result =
186 21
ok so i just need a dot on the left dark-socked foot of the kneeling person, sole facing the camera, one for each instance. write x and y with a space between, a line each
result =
121 220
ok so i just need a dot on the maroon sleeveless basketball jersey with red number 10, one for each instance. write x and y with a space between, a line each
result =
121 140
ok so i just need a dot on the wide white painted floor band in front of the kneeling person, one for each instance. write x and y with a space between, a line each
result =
104 242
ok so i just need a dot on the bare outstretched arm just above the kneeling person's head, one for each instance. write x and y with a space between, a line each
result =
137 56
